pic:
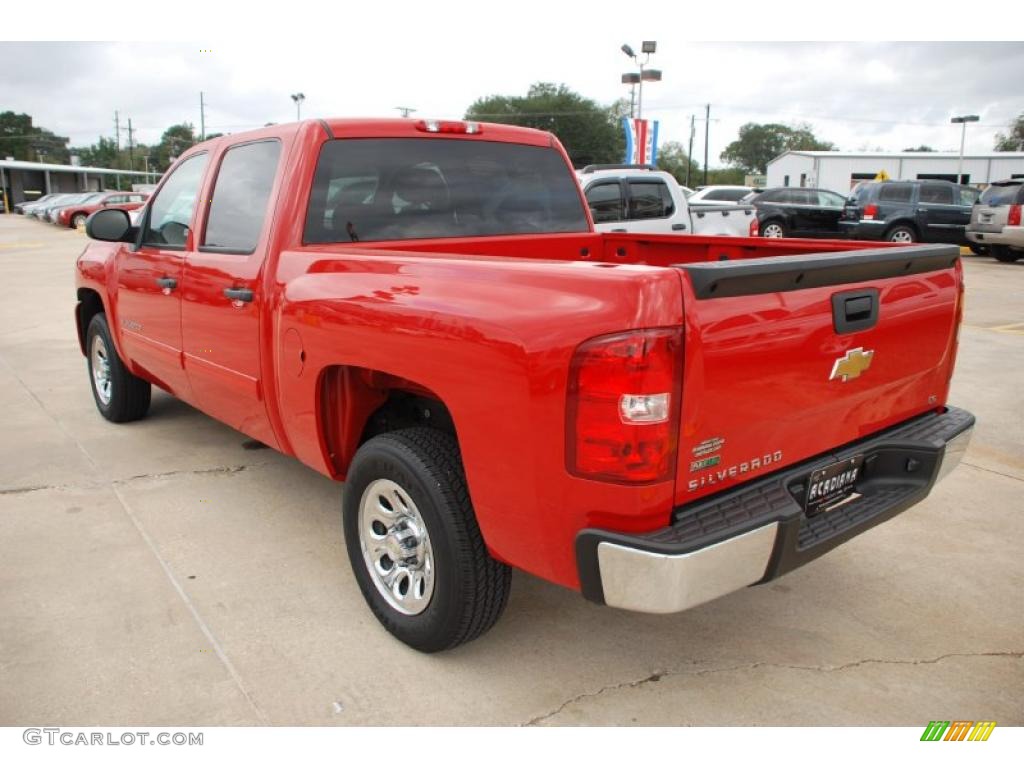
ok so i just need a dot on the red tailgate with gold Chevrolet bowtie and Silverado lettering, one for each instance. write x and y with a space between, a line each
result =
791 358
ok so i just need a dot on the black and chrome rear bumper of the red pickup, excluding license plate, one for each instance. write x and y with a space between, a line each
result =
758 532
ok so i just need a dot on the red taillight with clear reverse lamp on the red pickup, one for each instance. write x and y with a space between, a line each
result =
623 407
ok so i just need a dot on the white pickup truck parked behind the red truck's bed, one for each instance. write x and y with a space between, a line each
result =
642 199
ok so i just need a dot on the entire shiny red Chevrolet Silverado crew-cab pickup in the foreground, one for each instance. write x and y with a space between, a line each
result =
423 310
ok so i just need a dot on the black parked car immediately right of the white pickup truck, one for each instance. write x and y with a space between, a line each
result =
798 212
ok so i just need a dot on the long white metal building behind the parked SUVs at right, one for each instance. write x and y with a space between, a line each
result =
839 172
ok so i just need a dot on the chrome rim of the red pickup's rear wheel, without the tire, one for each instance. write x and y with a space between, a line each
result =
397 547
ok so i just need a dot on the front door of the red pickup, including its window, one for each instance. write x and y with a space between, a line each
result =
149 296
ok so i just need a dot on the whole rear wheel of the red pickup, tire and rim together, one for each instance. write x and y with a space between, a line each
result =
414 543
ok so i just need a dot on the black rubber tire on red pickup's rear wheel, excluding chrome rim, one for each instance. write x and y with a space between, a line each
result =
471 588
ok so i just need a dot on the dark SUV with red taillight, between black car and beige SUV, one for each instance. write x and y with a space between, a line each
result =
909 211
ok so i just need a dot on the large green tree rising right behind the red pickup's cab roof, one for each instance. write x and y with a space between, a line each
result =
590 133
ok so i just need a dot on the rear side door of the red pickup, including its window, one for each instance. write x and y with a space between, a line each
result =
223 301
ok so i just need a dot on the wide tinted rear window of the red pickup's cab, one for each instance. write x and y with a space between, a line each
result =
404 189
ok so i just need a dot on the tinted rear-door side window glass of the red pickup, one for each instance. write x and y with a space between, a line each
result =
241 195
